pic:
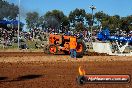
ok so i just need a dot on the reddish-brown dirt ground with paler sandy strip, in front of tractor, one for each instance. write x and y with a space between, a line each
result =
37 71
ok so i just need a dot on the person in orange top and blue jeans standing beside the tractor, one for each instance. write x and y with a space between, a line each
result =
73 45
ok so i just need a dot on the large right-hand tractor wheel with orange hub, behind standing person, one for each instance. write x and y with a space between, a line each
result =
81 47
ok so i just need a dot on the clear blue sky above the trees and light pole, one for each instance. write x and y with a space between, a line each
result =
111 7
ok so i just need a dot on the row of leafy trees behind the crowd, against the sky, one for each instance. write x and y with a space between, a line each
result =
77 19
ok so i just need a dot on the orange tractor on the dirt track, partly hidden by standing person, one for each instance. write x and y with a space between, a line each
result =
60 43
